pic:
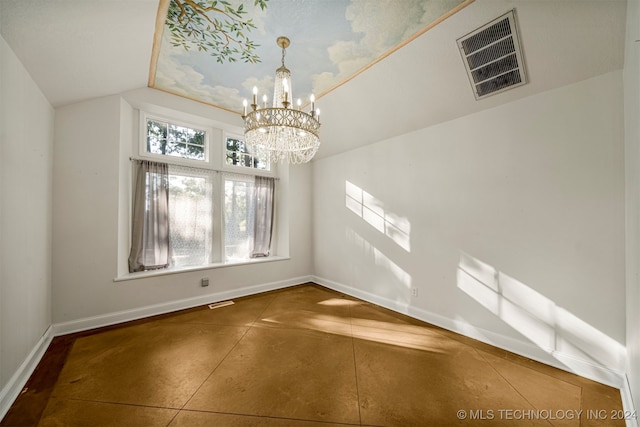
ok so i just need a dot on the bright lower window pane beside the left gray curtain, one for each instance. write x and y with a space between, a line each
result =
190 219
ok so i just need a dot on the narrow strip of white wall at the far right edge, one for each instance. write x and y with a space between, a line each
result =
632 168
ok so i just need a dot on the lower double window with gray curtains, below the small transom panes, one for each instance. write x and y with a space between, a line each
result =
191 215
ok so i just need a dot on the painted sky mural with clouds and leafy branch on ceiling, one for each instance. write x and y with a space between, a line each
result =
217 51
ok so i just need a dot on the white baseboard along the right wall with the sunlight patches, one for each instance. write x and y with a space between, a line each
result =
592 371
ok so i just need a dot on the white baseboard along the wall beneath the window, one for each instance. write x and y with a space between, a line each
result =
109 319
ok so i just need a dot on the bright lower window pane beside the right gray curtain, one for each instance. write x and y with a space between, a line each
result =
239 218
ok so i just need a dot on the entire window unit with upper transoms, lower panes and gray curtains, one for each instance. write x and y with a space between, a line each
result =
212 216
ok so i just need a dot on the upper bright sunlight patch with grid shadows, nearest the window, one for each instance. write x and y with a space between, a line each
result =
372 211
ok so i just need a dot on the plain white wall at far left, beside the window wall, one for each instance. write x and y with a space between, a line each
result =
26 142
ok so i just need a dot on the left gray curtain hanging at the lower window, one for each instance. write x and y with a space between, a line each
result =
150 230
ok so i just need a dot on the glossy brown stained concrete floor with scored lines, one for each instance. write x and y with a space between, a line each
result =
302 356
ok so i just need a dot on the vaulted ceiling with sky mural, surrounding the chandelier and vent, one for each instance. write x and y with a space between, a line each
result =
82 49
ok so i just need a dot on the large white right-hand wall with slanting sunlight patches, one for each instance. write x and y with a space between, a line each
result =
508 222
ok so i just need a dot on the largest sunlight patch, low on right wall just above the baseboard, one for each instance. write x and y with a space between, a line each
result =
550 327
